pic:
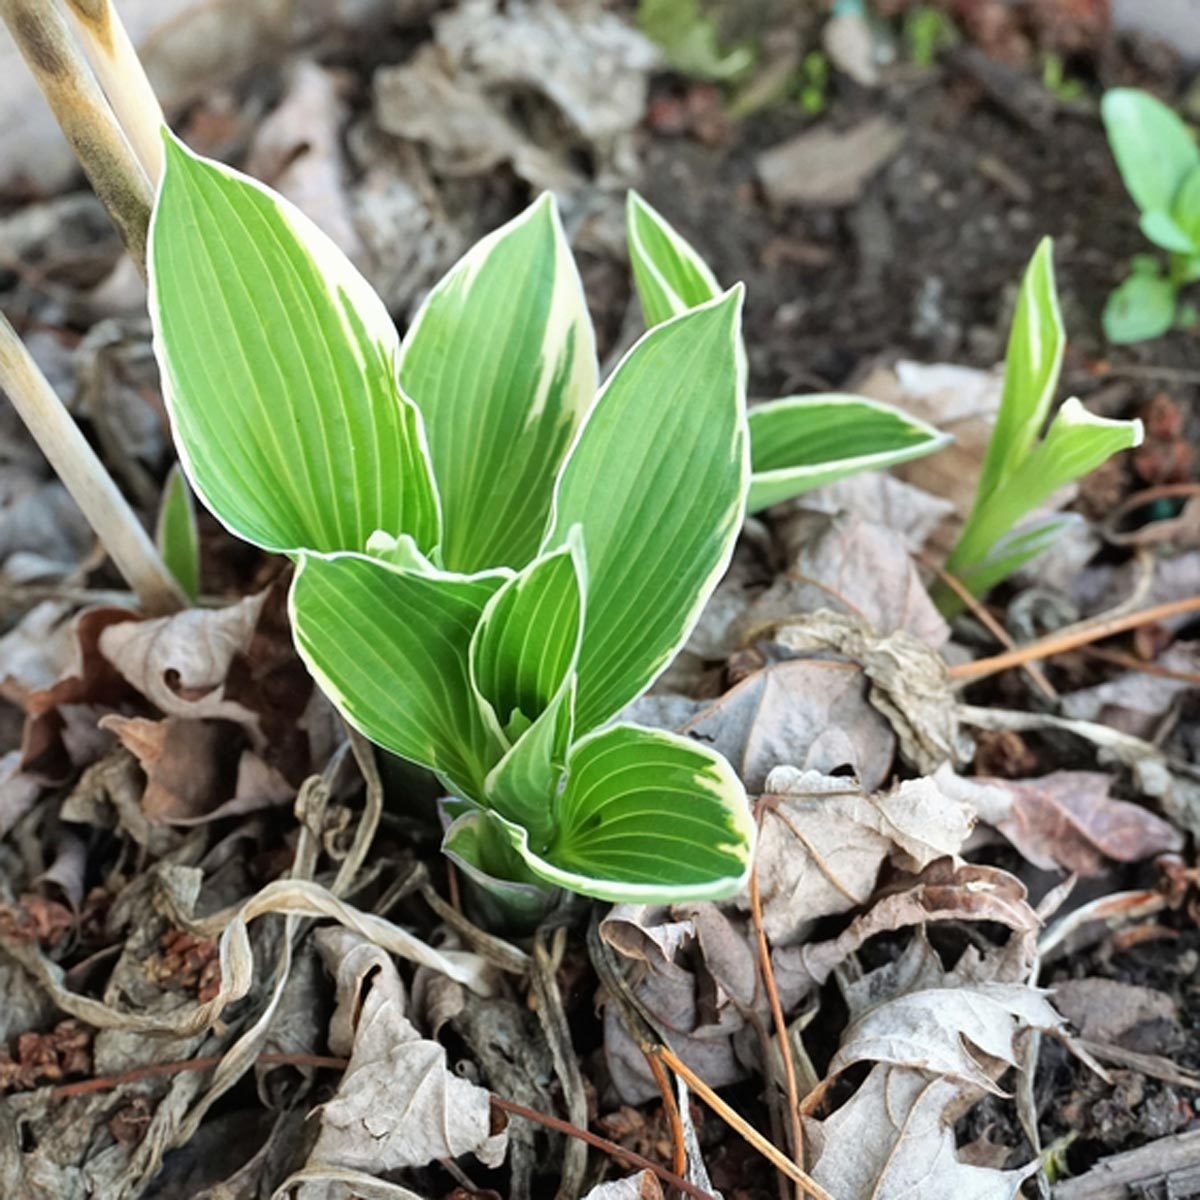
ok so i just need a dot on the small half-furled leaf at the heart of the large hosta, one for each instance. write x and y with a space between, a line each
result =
524 657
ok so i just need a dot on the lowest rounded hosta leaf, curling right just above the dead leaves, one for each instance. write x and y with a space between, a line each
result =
646 817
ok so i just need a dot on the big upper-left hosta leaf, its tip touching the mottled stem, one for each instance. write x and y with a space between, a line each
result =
279 370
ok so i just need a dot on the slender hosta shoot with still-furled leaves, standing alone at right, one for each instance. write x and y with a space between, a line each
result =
1023 469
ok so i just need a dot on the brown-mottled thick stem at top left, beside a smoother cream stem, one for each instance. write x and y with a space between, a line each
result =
62 71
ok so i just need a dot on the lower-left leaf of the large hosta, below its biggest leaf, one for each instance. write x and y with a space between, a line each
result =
389 647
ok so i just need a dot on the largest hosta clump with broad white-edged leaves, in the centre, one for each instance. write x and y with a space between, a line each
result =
494 555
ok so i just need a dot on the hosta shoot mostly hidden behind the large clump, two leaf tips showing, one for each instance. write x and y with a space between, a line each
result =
797 443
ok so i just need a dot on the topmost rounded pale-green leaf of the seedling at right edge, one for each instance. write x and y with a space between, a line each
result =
1153 147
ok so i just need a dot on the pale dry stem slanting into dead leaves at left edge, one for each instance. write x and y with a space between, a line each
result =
85 477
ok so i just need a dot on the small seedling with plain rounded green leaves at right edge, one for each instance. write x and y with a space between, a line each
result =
1160 163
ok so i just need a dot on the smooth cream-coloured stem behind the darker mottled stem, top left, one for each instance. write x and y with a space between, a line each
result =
124 80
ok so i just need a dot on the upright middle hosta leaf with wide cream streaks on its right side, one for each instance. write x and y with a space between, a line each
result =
501 361
